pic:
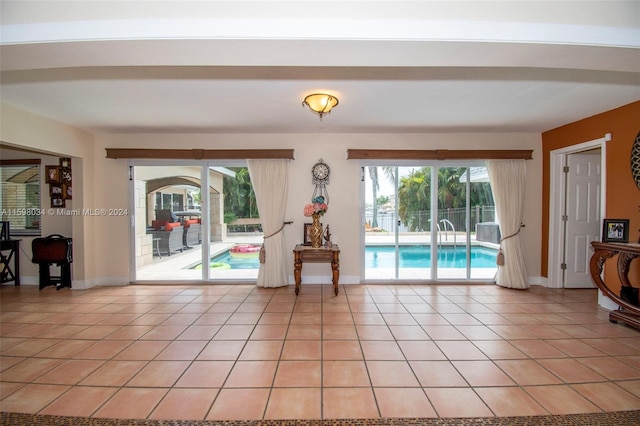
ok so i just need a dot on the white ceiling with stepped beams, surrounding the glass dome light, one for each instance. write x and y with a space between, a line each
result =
244 67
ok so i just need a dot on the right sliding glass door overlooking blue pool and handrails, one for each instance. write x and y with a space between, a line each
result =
422 225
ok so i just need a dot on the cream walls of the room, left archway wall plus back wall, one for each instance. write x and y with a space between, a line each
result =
102 245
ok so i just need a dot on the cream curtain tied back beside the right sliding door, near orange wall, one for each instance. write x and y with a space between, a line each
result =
507 179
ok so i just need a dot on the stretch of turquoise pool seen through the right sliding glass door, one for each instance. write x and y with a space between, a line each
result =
420 257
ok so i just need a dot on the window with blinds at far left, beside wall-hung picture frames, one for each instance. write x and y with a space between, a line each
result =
20 196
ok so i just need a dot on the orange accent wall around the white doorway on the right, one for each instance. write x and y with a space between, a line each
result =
622 194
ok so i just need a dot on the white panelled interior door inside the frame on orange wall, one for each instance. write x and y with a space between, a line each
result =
582 216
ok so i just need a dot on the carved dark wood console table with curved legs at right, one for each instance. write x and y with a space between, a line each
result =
628 313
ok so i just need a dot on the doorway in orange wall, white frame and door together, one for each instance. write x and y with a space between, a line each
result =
575 210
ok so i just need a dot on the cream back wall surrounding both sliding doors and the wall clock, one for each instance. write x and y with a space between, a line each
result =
112 235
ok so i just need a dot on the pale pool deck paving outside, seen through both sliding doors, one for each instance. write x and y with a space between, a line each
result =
176 266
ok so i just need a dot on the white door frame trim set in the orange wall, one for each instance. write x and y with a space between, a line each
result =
557 199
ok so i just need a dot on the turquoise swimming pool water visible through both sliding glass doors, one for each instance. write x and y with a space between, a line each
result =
384 257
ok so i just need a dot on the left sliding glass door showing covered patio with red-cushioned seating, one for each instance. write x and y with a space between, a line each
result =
195 221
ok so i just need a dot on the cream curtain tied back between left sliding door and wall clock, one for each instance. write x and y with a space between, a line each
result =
269 181
